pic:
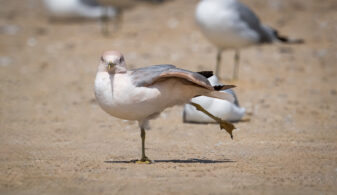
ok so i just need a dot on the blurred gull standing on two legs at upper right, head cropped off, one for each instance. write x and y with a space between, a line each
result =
229 24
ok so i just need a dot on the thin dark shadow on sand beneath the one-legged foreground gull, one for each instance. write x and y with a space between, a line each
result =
188 161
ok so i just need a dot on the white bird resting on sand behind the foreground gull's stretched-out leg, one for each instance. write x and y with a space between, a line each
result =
223 109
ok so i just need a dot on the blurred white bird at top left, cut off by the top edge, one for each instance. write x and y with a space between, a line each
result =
87 9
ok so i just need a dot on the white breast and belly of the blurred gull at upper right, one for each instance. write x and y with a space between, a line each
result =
221 24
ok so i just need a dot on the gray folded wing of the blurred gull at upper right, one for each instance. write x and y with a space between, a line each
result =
249 17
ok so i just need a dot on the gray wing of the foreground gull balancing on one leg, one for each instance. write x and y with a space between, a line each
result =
149 75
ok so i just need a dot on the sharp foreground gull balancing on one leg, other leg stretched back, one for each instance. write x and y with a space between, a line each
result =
142 94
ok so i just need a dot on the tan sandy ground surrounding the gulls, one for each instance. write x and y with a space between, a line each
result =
56 140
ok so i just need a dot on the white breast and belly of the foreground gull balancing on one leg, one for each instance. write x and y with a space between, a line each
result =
118 96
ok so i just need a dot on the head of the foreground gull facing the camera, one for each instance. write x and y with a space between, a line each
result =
112 62
